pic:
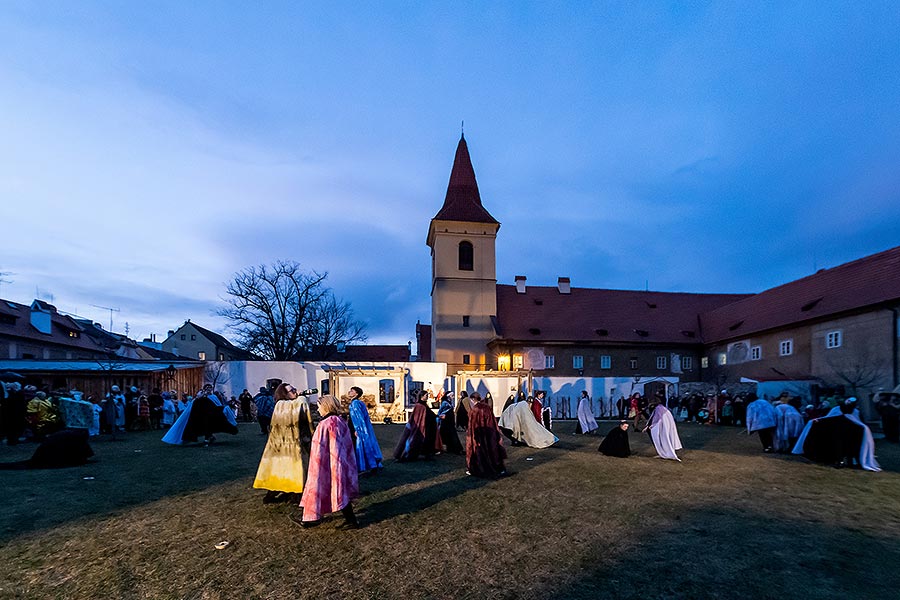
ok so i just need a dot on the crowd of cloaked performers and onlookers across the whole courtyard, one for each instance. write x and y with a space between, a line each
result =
314 455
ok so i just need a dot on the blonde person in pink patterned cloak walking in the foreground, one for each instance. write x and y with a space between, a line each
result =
332 482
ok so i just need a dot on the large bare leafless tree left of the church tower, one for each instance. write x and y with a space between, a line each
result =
281 312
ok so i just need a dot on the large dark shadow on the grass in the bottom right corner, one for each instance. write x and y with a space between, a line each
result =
719 552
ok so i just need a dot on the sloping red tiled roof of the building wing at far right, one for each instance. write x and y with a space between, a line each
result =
865 282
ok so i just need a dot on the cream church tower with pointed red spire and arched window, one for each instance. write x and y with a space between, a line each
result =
462 237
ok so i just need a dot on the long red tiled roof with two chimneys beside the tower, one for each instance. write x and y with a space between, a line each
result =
587 315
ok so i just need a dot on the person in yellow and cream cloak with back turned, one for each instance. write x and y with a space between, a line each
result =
281 467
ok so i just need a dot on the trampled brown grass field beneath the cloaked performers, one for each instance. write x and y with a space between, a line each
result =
727 522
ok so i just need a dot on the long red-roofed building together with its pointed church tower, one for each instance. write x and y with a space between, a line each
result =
838 327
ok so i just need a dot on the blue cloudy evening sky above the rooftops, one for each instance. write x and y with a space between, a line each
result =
151 149
